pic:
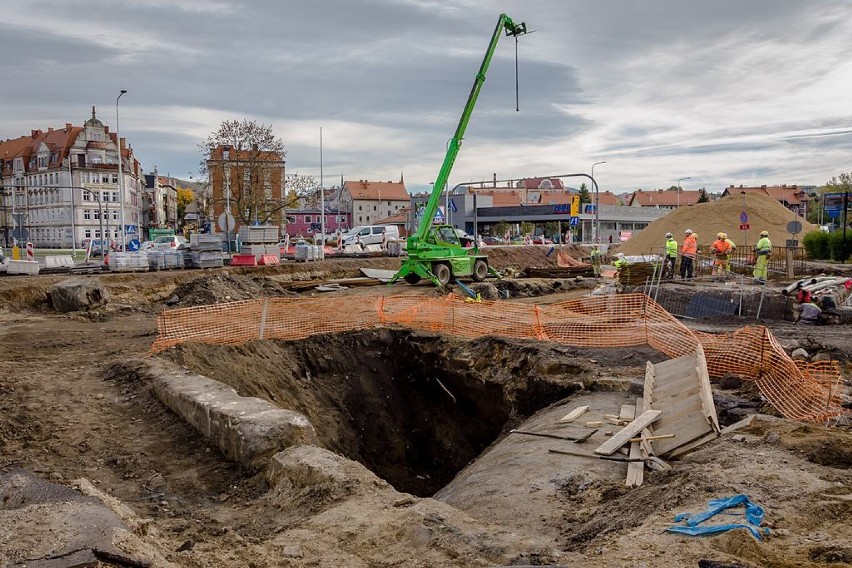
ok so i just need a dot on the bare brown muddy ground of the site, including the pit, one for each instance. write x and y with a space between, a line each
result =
411 411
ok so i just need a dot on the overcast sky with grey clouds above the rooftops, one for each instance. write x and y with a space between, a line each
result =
724 92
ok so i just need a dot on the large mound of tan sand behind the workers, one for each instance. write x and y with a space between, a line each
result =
722 215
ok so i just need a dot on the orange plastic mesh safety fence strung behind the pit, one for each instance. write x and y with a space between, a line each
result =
802 391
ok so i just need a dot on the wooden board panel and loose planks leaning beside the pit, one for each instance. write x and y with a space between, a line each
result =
675 415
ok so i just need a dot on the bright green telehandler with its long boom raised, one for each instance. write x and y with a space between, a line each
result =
434 251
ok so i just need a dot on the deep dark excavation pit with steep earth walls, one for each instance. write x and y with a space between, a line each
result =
414 408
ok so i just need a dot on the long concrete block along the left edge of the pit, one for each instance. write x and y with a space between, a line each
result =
246 430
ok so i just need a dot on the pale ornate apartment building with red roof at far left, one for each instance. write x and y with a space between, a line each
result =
61 186
